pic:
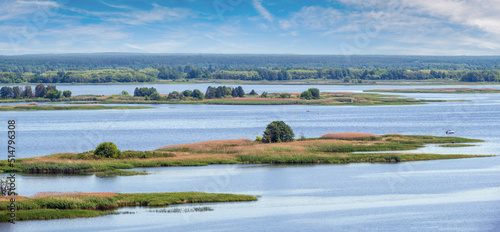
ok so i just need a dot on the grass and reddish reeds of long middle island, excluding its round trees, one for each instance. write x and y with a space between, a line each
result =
332 148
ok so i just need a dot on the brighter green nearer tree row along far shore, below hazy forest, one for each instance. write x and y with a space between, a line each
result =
249 74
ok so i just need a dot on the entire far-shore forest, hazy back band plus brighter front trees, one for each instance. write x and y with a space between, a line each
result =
109 68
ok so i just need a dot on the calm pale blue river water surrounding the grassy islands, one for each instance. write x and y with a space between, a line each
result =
442 195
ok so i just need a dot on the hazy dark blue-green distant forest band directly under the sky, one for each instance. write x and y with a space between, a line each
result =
39 64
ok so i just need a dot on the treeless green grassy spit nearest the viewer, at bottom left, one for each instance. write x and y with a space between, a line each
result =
72 205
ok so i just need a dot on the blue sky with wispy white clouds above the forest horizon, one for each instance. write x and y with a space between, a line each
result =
336 27
